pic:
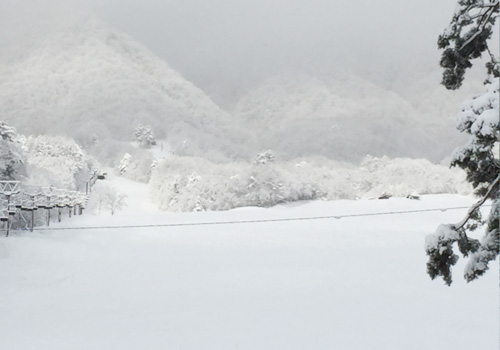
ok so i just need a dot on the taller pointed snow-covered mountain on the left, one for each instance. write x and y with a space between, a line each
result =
92 82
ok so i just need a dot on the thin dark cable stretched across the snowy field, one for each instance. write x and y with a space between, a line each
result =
237 222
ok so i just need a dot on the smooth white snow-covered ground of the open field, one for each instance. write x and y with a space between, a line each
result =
353 283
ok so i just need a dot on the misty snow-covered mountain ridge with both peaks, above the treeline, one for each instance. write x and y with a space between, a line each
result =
92 82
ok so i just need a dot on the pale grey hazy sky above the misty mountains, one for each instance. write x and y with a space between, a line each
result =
225 45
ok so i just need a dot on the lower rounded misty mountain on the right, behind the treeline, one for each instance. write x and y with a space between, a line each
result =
347 117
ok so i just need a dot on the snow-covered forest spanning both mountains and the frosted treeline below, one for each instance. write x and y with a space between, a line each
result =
333 136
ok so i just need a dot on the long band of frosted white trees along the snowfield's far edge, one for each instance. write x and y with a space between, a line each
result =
187 183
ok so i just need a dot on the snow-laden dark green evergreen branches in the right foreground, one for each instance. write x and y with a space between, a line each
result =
465 39
